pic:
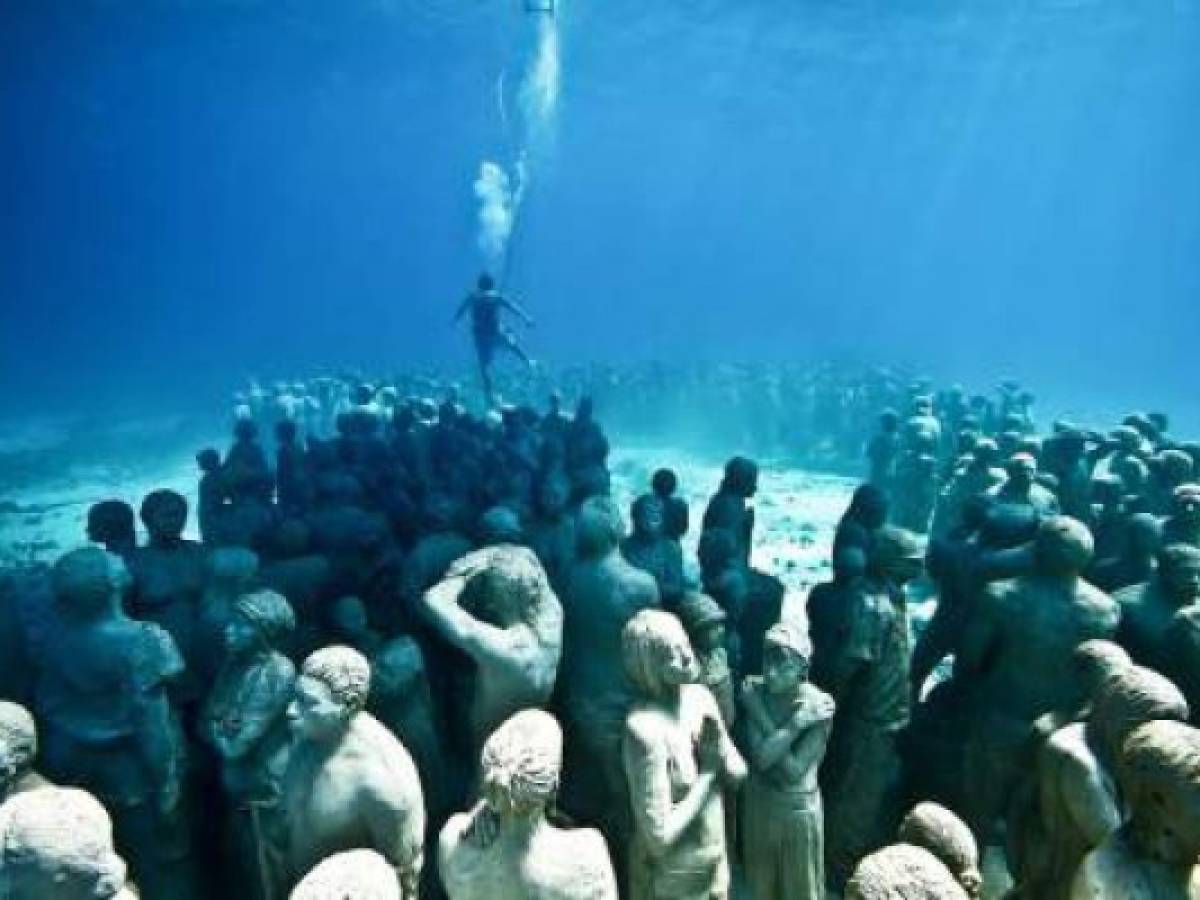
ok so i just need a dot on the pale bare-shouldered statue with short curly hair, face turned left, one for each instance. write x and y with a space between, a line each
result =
350 783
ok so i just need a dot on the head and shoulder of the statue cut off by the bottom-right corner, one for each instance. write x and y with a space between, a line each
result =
1154 855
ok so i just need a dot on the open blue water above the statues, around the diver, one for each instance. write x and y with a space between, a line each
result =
195 191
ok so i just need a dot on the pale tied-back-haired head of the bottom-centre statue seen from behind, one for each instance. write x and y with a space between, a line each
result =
521 764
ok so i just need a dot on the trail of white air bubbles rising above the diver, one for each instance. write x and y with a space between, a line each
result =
501 190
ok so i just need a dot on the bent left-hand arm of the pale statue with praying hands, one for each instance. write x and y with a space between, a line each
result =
661 823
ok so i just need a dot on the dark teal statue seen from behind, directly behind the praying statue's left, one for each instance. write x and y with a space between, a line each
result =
604 593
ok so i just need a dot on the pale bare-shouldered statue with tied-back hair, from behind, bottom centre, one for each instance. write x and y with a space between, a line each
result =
505 848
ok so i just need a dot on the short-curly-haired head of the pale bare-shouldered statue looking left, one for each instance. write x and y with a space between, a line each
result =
332 689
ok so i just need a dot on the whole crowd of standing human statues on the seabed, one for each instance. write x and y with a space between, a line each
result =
417 653
